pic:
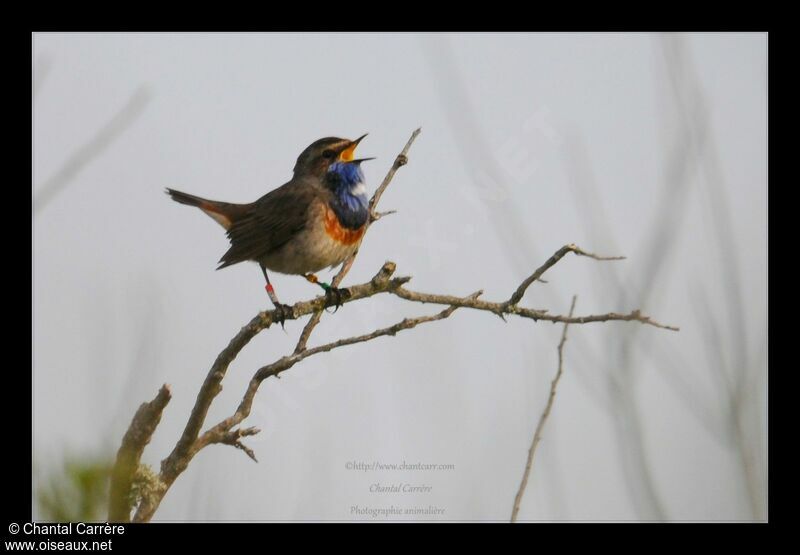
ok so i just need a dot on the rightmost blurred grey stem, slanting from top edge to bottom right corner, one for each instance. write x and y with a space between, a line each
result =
742 368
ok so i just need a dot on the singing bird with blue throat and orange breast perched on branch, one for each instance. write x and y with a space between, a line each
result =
315 220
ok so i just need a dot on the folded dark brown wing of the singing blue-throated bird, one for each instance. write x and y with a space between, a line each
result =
269 223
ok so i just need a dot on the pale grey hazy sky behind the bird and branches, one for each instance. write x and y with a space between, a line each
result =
529 142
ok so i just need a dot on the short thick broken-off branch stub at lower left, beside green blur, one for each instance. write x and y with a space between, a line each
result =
139 432
